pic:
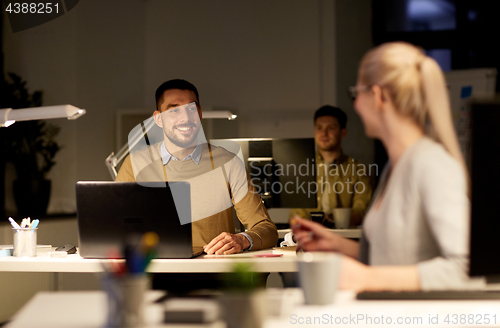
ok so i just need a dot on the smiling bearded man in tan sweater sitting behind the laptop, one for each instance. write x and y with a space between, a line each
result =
217 178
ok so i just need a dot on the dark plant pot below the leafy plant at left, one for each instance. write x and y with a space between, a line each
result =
31 196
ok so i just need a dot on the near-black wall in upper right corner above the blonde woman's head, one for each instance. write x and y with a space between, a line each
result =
473 43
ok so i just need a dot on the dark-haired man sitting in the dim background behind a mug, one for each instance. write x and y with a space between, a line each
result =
342 182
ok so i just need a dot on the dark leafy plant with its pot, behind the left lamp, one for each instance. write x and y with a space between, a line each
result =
30 146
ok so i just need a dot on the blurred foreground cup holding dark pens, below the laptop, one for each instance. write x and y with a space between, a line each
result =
125 296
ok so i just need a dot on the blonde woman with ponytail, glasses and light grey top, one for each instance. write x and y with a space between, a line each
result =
415 235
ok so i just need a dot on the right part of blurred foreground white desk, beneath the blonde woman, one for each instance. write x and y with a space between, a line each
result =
349 312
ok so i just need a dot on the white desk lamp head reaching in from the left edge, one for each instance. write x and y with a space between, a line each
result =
8 116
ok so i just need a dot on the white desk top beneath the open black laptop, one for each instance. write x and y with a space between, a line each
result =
204 263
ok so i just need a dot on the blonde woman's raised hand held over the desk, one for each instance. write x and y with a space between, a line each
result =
312 236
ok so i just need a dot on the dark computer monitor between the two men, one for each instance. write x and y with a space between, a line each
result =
282 170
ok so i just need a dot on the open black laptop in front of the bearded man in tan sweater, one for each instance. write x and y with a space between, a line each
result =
109 212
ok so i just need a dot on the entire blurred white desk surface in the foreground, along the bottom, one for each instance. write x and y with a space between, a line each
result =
87 309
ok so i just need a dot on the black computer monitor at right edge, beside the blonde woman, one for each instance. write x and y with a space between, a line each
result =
485 179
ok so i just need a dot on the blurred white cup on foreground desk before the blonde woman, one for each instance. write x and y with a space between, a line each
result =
319 276
